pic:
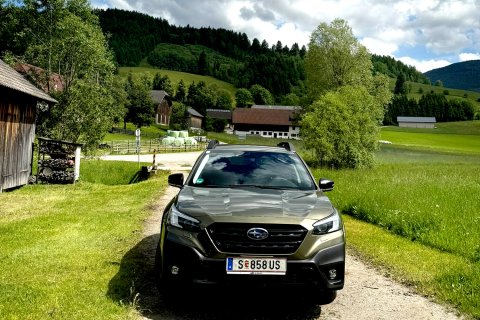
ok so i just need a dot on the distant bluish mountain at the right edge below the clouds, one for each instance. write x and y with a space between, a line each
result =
462 75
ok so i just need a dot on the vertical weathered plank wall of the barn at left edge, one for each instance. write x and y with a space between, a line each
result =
17 134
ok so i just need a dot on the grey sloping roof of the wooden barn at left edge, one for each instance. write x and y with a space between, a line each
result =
11 79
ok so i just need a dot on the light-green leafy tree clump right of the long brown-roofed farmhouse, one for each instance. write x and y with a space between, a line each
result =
342 124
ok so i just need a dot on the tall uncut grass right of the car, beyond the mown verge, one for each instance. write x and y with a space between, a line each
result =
435 205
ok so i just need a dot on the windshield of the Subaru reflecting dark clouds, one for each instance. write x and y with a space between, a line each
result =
252 169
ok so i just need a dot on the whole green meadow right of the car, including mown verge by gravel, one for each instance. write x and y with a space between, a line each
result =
420 205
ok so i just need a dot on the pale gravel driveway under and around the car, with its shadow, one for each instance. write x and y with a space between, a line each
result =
367 294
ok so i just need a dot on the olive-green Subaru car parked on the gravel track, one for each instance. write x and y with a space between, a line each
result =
252 215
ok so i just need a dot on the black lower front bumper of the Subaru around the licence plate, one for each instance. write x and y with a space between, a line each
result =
190 265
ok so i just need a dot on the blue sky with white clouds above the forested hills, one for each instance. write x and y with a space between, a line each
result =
427 34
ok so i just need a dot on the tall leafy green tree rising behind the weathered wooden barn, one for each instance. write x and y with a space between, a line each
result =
65 38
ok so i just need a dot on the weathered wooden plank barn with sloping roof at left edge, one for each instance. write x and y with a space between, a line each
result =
18 104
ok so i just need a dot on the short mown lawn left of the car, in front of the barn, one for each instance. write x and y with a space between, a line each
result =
62 244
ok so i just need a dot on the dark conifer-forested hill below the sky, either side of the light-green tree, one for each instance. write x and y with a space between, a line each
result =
225 54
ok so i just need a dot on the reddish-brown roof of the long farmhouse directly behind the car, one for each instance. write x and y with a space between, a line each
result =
263 116
